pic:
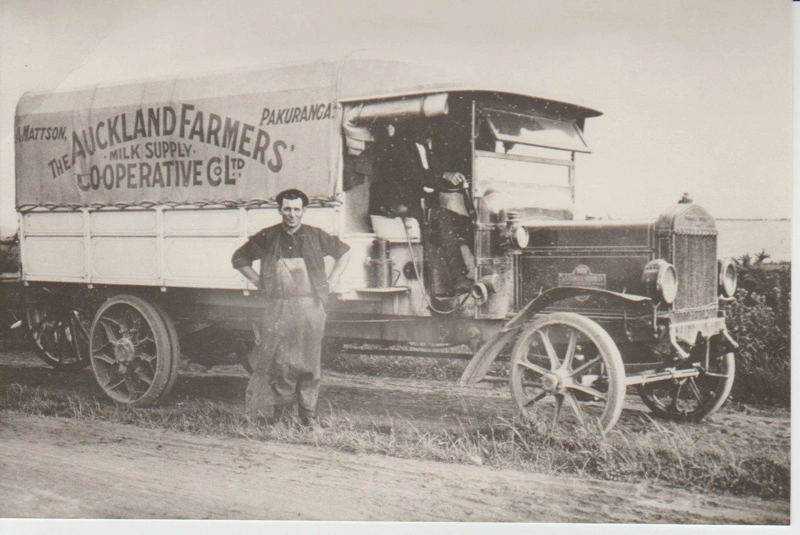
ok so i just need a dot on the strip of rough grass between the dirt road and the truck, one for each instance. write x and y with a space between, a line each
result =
655 452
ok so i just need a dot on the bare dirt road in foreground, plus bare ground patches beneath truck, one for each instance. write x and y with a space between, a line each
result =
69 468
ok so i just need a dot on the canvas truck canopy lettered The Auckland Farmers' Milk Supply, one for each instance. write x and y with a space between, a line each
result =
229 138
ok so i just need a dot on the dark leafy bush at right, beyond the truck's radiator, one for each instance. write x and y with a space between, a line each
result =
760 321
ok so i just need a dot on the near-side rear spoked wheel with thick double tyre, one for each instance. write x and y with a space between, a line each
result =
134 350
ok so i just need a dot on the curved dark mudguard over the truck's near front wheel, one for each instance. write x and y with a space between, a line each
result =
486 355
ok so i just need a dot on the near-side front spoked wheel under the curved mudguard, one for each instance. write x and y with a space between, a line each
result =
567 359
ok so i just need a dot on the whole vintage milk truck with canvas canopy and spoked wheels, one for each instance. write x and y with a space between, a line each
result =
132 198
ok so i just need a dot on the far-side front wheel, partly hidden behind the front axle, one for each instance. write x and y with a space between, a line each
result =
694 398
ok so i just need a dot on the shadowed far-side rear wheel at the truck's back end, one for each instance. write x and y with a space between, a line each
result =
59 330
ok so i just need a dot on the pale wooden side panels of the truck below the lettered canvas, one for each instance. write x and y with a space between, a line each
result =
184 248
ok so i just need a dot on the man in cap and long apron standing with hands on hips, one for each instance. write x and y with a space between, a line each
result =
286 362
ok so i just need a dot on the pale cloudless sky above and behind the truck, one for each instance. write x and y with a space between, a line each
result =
696 95
